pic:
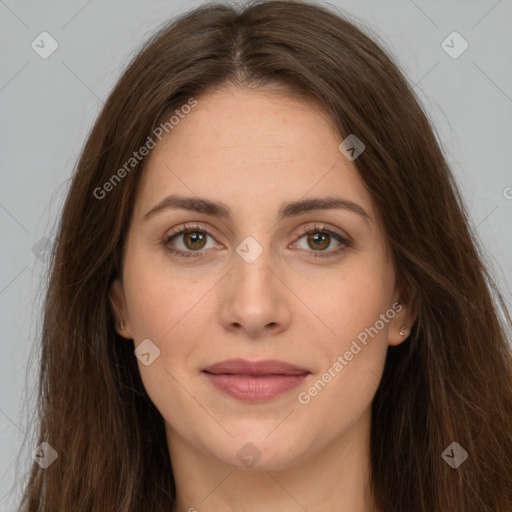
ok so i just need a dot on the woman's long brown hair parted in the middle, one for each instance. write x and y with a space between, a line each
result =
451 381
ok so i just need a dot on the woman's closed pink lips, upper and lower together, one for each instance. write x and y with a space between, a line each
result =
254 381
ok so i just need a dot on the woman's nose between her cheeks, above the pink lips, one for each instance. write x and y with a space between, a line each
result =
254 298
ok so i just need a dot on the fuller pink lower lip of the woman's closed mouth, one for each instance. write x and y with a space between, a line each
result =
253 388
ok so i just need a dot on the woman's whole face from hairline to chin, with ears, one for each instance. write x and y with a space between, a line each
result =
258 280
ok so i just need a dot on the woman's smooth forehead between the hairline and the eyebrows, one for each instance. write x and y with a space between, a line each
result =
251 148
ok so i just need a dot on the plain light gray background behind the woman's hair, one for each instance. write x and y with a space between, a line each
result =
48 106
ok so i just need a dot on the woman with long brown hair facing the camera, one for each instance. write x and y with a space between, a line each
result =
265 292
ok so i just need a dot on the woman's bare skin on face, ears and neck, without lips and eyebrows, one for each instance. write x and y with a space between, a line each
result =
252 150
